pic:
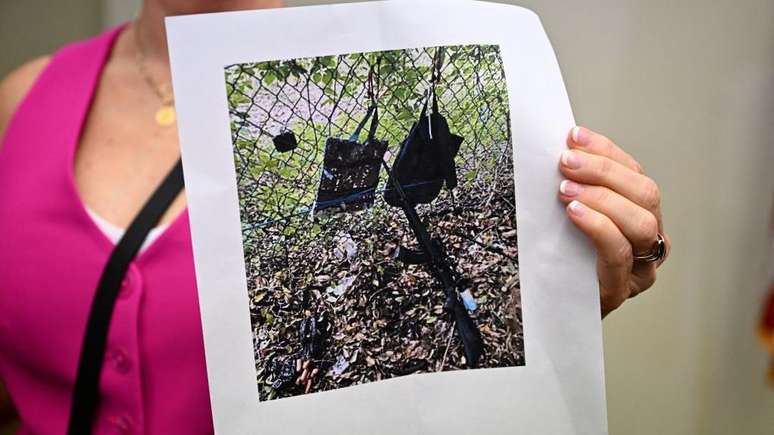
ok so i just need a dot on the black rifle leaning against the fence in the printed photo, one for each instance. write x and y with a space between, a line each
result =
434 257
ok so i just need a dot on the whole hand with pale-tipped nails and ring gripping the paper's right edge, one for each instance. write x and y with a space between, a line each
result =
618 208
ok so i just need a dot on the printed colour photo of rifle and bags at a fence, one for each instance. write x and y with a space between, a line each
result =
378 210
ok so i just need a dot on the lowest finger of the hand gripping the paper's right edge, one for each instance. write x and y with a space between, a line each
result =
614 253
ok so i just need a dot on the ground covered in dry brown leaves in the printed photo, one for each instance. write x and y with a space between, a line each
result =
380 318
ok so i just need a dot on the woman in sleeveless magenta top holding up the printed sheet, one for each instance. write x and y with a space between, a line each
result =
87 135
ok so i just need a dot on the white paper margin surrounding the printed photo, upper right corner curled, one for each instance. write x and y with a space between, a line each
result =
560 389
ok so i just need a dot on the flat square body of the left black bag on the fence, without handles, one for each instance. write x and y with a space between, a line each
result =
350 175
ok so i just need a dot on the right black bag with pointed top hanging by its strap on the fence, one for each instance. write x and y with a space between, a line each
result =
426 158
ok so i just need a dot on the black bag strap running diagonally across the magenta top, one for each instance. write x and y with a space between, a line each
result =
86 392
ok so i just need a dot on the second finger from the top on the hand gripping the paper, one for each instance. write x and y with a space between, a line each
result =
596 170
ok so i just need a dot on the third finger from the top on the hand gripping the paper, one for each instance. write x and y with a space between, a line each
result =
638 225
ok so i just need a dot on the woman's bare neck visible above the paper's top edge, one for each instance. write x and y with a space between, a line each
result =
149 25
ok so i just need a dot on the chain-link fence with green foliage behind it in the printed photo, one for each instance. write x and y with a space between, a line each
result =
325 97
